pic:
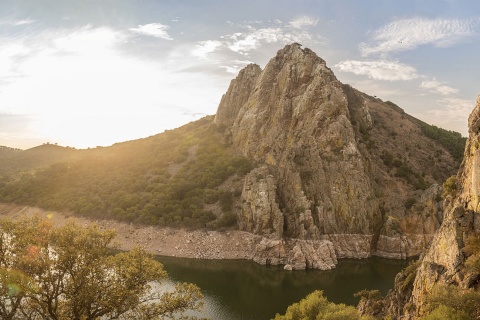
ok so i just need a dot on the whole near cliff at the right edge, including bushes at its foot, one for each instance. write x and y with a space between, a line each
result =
453 257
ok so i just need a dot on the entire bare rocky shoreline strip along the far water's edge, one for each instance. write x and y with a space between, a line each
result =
294 254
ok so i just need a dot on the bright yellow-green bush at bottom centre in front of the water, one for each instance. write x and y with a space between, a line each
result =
316 307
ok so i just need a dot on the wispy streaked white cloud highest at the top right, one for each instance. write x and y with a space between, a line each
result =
408 34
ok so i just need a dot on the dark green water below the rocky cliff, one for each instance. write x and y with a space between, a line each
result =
238 289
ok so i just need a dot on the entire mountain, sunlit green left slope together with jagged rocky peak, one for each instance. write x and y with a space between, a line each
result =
317 168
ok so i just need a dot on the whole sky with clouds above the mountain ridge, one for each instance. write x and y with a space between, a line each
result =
87 73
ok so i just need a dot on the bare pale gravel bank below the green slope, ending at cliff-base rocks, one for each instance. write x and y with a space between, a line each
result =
198 244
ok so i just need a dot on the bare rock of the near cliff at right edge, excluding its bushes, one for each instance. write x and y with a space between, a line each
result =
443 261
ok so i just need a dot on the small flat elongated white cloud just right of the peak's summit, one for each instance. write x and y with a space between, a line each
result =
379 70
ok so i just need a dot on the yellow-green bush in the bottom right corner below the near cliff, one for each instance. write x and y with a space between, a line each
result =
451 302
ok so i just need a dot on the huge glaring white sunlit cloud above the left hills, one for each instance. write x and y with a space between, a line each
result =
77 78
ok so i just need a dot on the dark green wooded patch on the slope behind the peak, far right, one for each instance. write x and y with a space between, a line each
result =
450 140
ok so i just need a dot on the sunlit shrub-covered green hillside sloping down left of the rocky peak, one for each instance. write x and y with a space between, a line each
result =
168 179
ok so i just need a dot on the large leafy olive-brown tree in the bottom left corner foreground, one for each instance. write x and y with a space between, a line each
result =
71 273
